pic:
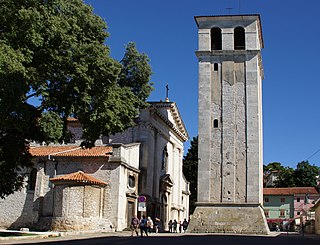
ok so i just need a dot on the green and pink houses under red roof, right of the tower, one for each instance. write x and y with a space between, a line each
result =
288 205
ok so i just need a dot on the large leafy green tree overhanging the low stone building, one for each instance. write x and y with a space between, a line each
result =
55 50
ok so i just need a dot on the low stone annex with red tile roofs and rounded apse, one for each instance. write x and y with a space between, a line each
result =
71 188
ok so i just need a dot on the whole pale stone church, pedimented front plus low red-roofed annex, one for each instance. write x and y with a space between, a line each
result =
71 188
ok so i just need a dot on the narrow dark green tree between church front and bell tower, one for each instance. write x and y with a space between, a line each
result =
190 171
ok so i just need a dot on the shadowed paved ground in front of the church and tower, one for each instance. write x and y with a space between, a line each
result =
175 239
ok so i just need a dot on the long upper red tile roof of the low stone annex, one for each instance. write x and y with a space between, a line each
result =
71 151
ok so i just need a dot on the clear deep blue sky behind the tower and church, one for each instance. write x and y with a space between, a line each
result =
166 31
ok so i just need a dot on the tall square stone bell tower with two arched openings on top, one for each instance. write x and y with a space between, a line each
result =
230 186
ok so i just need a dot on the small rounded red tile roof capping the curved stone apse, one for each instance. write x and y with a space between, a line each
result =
79 177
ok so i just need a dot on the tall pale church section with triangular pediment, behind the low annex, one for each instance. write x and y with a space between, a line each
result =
161 133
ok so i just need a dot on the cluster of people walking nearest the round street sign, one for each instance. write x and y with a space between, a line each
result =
146 226
